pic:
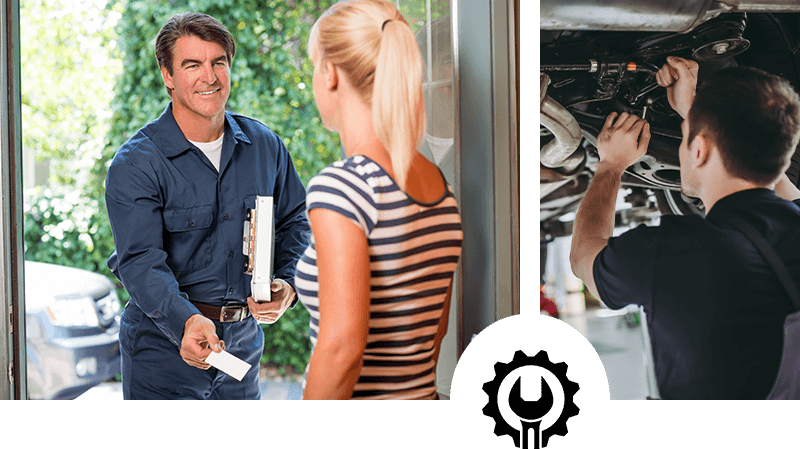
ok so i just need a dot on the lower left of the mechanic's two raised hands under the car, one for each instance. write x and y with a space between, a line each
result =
623 140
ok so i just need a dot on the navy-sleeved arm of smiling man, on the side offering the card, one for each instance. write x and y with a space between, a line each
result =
134 211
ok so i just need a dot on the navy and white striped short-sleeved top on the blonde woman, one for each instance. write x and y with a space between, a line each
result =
413 249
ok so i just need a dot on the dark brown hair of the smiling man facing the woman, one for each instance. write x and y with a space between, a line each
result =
203 26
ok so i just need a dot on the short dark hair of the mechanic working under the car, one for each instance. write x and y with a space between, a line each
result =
754 119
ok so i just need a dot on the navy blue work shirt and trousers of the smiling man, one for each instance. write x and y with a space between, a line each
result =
177 224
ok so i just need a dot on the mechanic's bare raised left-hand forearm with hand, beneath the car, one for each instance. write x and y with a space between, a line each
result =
621 142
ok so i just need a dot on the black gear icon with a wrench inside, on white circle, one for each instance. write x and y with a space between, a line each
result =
530 399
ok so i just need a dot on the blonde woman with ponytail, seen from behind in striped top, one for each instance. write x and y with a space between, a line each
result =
378 273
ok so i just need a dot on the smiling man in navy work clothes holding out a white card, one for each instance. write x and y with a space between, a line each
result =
177 193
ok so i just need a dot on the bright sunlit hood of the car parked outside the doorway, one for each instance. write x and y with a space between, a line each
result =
46 283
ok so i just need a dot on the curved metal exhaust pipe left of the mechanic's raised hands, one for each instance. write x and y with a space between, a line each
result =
561 151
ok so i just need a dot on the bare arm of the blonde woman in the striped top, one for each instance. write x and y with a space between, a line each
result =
344 287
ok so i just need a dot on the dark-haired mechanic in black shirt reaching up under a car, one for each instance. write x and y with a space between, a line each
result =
714 306
